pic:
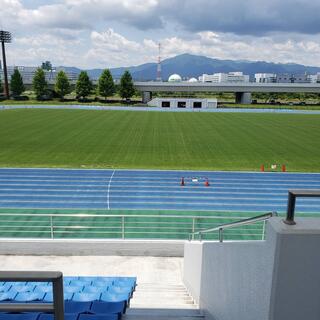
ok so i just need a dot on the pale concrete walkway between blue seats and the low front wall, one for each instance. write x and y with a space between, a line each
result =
166 271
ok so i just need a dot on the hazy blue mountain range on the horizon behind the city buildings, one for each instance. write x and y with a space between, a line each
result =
187 66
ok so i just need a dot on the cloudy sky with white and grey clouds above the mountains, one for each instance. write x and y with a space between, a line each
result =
111 33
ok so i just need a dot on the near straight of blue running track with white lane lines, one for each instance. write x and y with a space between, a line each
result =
153 190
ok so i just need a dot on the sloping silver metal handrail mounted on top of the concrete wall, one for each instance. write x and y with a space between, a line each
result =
221 228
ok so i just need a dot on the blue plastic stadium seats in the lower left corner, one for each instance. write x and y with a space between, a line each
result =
86 298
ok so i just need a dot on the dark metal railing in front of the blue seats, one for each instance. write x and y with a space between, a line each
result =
57 307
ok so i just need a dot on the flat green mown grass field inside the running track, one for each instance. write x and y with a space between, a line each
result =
124 139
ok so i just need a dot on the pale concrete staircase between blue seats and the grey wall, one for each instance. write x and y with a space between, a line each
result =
162 302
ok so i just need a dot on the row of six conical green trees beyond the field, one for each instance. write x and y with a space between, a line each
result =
83 88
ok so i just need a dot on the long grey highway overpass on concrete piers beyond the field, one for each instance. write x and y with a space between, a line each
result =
242 91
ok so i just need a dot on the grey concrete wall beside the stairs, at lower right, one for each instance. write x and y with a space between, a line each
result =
276 279
